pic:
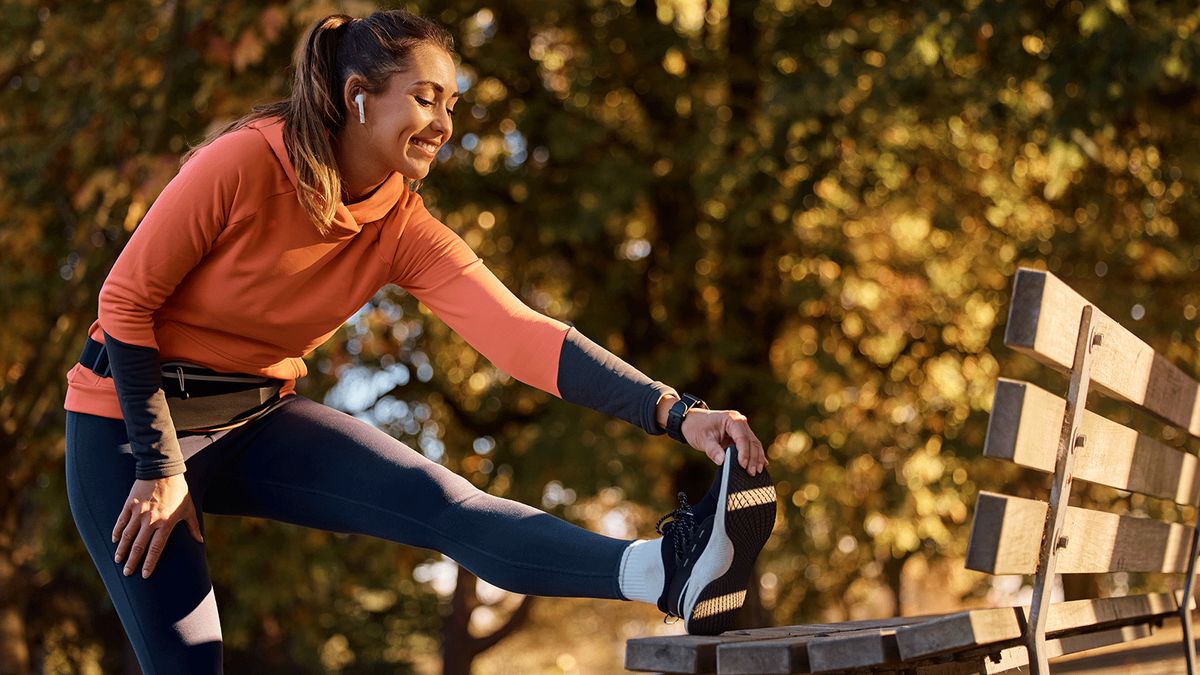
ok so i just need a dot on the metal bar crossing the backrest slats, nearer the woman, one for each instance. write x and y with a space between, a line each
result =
1060 494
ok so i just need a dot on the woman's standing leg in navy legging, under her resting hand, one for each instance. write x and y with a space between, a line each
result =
171 618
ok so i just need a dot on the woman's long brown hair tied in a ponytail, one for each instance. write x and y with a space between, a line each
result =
332 51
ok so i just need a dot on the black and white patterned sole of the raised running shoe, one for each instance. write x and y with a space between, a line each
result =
745 519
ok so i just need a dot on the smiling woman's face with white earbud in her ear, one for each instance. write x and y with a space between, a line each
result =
410 121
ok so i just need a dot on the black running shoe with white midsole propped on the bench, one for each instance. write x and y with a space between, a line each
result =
716 558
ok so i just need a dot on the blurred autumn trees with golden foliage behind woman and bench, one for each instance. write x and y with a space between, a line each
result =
808 211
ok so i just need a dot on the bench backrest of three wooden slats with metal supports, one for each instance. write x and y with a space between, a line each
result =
1052 434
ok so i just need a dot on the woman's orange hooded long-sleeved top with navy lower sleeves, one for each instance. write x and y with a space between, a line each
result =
229 272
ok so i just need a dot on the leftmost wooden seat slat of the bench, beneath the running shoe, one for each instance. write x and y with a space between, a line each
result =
699 654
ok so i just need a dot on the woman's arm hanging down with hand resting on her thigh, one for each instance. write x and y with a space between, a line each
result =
179 230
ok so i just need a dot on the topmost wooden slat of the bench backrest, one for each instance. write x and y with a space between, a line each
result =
1042 322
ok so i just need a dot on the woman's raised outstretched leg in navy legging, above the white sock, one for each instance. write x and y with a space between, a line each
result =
311 465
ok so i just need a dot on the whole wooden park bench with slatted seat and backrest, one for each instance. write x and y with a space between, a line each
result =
1042 432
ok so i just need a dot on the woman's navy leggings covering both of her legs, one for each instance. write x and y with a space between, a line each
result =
311 465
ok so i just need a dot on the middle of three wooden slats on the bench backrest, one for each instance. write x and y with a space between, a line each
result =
1025 426
